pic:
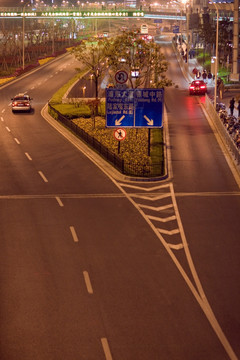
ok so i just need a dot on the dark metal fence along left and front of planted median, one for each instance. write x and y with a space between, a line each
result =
126 168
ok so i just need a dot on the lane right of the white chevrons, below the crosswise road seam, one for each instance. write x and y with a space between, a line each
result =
212 230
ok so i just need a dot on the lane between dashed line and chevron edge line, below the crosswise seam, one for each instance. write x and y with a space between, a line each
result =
147 309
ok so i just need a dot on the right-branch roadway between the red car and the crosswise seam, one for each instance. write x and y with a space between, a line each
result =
197 160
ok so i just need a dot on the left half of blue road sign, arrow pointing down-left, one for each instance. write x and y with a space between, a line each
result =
120 107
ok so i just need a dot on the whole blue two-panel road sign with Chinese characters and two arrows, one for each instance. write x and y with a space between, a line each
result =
134 108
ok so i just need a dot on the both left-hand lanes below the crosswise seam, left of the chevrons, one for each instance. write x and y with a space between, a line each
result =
139 302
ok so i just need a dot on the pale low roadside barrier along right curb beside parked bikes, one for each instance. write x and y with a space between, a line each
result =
221 129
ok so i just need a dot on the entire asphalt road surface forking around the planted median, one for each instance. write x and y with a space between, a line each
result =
93 268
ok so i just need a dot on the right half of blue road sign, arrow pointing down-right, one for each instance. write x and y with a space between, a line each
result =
149 108
